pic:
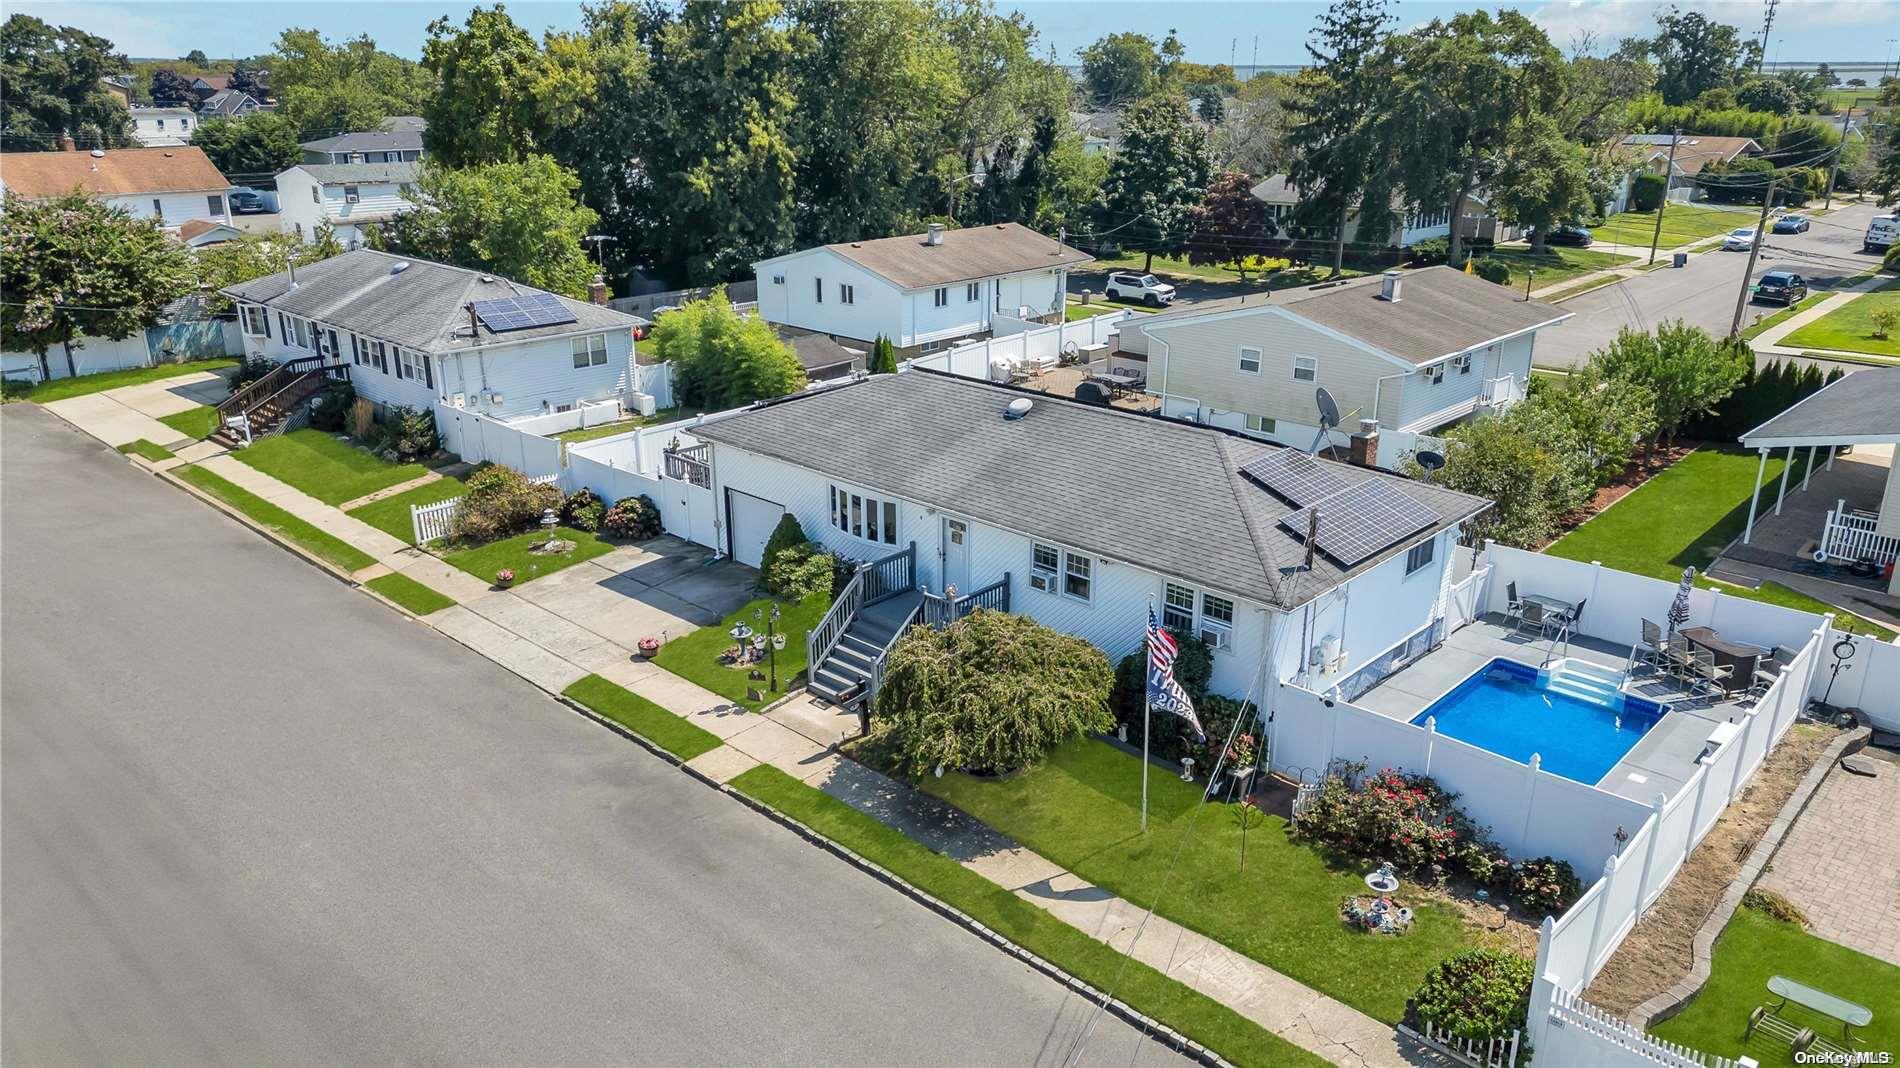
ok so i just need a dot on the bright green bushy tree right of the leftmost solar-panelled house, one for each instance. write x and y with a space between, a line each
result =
723 360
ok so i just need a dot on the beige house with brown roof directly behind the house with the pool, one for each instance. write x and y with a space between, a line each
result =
1415 351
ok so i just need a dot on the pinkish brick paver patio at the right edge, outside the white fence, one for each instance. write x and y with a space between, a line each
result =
1842 862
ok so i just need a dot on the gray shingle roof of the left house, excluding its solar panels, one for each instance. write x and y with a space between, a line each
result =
419 307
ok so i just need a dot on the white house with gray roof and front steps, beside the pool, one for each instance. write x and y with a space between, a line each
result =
1084 518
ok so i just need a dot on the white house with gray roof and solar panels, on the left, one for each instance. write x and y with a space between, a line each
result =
417 334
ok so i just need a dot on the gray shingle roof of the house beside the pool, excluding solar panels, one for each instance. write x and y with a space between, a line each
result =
1122 486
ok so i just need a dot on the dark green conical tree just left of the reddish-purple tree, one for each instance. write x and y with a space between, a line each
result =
1156 180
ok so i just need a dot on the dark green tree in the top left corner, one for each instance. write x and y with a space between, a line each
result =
50 86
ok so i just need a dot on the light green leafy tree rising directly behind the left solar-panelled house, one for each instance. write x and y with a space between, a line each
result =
518 219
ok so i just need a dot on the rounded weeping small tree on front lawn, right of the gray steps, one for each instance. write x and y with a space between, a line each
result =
991 693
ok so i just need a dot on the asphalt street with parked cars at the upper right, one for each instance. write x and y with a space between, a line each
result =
1703 294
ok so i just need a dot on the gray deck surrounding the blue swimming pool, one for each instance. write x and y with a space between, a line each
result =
1658 765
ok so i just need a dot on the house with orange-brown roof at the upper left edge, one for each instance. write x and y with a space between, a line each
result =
170 185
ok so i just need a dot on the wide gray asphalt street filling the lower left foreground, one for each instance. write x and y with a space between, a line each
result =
252 816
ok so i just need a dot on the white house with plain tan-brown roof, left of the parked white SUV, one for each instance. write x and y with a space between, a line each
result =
921 290
